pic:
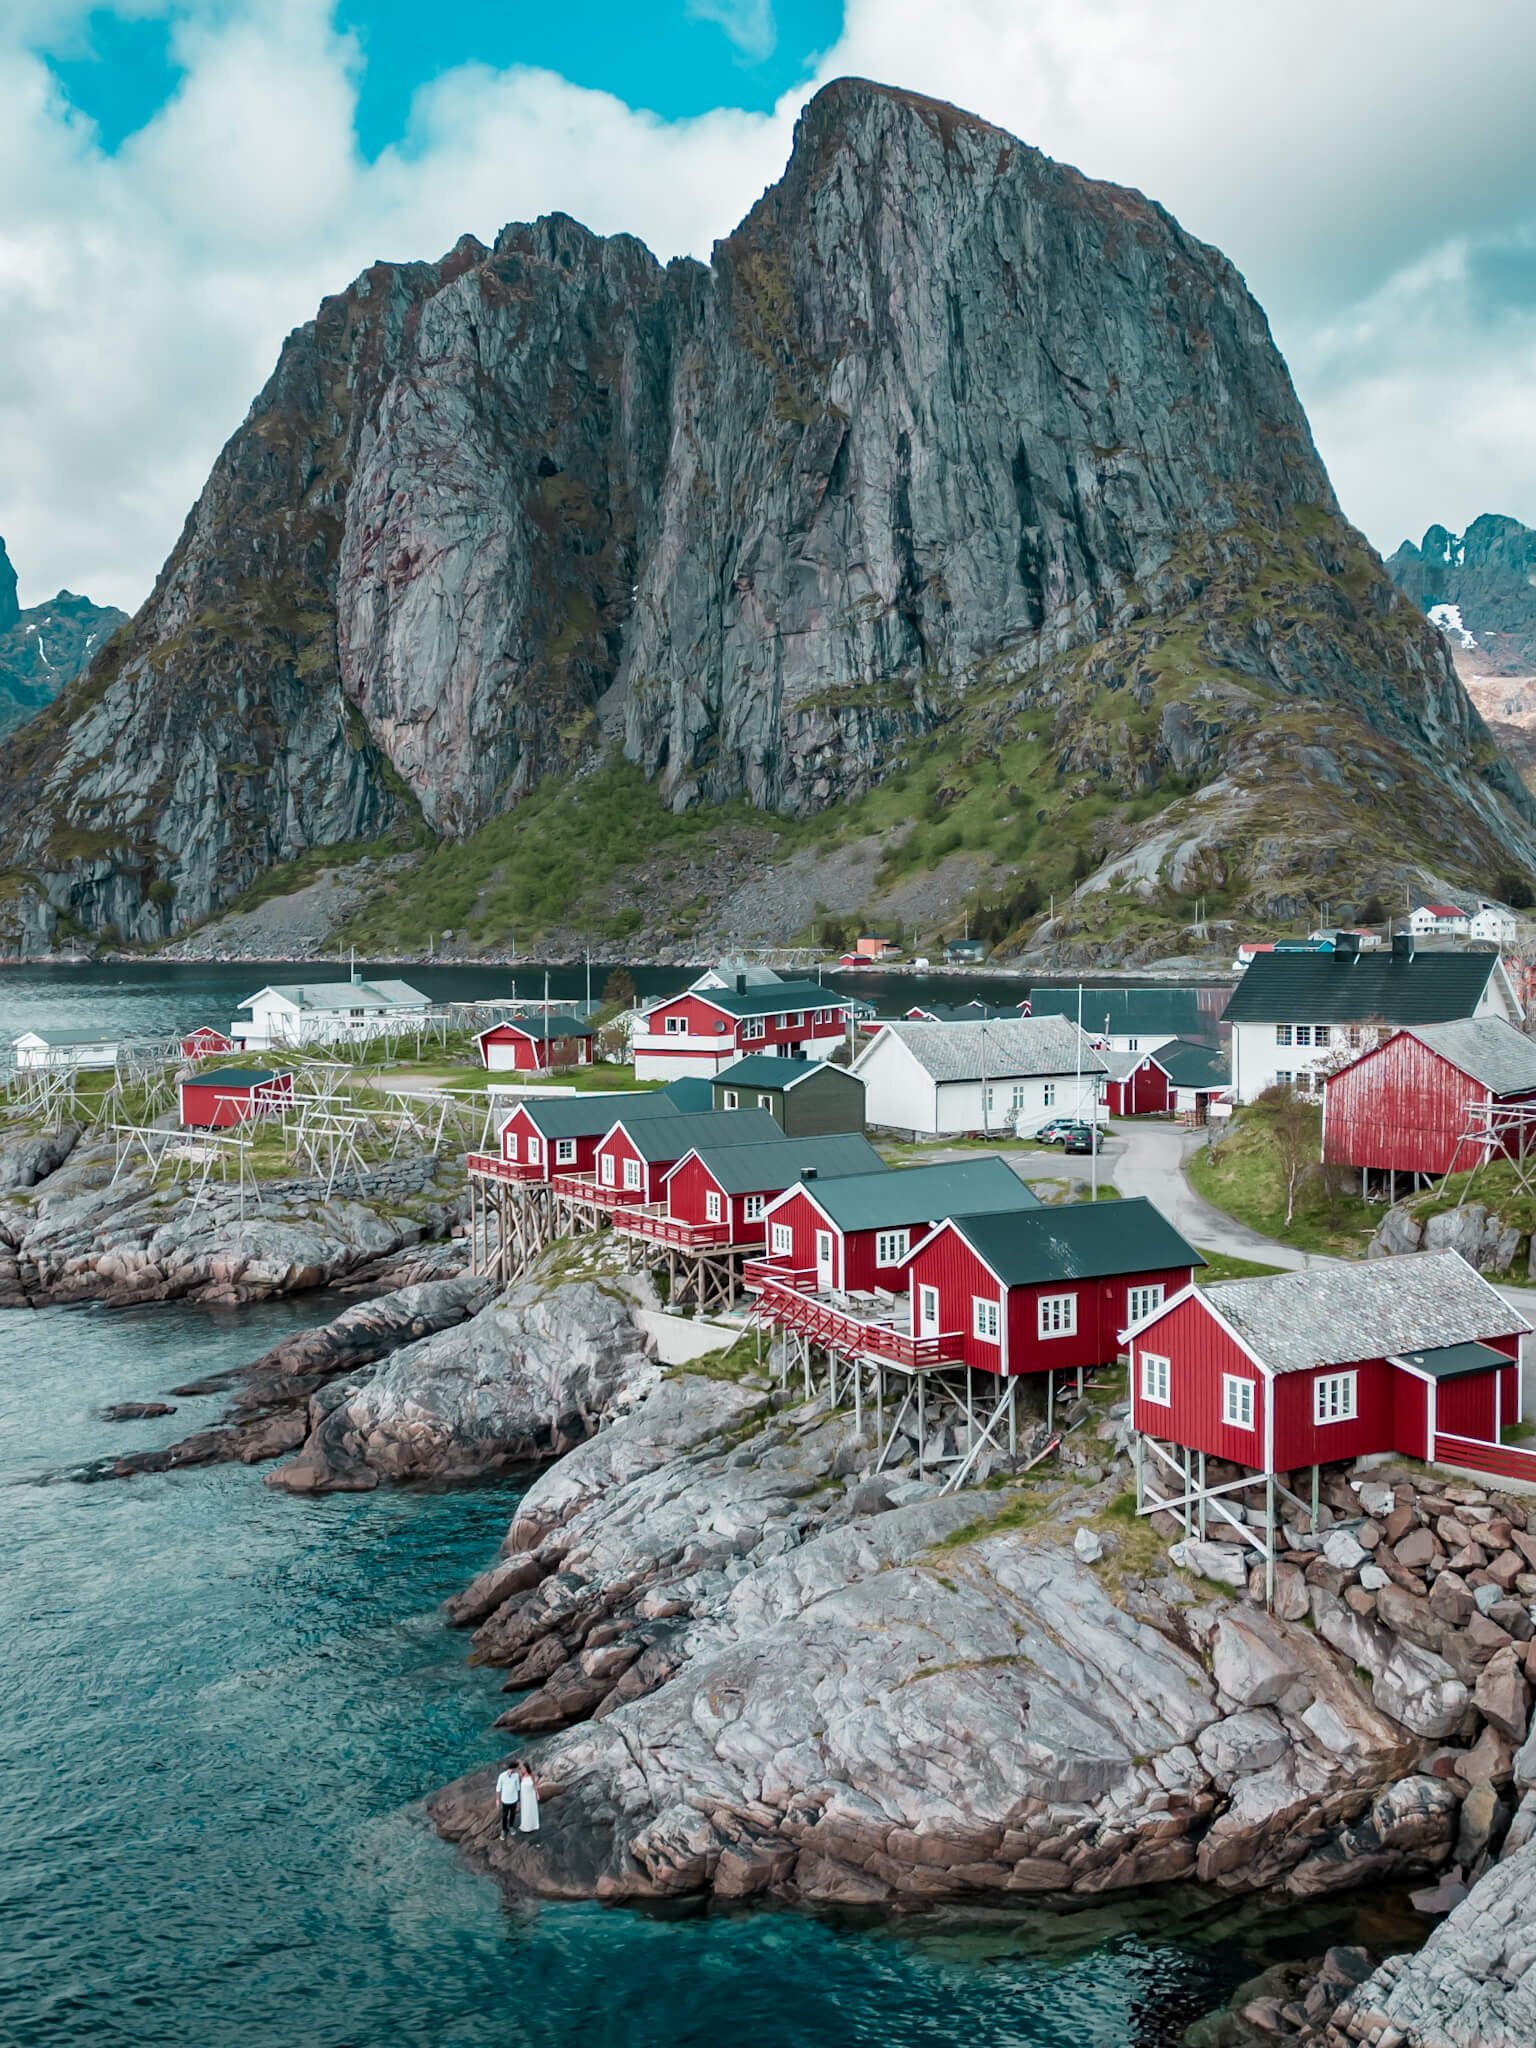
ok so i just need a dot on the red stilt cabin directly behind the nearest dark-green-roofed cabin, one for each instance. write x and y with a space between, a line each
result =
857 1234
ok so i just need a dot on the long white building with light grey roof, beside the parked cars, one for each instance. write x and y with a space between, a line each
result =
1011 1074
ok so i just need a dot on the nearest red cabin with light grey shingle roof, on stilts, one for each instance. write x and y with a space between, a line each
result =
1414 1355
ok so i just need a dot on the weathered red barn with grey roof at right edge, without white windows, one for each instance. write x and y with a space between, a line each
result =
1408 1105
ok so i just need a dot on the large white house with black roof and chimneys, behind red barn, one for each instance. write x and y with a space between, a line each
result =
1295 1017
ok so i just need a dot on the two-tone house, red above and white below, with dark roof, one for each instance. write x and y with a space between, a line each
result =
706 1029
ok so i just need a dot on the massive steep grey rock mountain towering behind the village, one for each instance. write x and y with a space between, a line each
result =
959 507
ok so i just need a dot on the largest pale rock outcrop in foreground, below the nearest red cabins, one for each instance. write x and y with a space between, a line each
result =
761 1672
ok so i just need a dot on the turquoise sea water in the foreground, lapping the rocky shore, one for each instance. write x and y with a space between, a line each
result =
220 1711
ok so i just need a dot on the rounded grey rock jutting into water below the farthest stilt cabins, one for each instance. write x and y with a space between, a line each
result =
525 1379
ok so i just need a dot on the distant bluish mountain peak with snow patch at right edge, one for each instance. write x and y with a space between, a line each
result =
1480 587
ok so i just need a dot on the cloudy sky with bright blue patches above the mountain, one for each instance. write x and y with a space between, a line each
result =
181 181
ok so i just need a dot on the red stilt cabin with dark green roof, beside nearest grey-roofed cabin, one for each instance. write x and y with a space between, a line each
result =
1050 1287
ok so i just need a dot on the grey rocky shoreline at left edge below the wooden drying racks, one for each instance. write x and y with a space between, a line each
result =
81 1236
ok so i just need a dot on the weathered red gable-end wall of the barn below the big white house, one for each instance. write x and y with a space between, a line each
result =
1400 1107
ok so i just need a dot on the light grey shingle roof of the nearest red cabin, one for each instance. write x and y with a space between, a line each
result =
1334 1316
